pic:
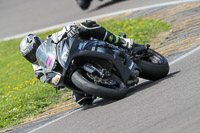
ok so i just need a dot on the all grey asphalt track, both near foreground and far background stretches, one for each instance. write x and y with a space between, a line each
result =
169 105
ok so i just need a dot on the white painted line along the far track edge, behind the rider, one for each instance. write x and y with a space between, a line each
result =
97 17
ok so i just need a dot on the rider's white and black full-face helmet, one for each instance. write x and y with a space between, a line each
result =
28 47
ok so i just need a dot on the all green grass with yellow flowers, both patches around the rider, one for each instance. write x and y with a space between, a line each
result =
22 95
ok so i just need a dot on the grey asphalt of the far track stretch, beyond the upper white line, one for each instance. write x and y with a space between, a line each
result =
24 16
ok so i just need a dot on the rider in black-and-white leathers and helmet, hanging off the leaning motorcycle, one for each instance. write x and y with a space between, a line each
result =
87 30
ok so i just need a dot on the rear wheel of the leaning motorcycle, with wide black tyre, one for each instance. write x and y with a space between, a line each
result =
153 67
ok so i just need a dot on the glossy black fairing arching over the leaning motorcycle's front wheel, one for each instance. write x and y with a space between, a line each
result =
79 48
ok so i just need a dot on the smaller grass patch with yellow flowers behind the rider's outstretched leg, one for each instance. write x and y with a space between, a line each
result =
141 30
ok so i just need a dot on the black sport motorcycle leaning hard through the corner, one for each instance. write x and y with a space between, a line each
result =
98 68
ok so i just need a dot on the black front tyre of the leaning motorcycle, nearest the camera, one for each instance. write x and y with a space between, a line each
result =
114 92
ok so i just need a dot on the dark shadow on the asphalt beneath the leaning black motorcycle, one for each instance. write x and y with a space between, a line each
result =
133 90
